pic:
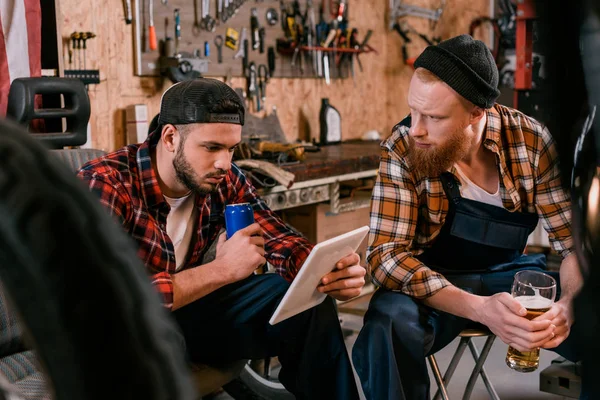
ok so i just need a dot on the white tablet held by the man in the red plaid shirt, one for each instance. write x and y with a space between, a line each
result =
302 293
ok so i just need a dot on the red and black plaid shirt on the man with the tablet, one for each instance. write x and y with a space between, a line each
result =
127 186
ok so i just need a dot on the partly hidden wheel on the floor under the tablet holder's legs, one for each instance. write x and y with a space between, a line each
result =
251 385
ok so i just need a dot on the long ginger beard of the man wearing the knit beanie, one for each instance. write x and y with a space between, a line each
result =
437 159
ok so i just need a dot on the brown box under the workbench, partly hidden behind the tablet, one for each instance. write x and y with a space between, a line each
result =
318 224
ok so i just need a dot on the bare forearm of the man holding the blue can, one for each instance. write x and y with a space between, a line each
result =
191 284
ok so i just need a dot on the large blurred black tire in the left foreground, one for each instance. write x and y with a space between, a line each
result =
72 274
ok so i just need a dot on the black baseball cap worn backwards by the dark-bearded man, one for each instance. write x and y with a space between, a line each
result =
192 101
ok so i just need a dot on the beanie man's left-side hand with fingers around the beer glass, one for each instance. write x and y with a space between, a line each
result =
505 317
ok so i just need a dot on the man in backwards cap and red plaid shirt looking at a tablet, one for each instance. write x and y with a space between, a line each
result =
169 193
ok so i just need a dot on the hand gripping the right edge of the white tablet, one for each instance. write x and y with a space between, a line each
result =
346 281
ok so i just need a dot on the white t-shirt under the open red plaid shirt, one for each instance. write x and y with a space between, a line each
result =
181 225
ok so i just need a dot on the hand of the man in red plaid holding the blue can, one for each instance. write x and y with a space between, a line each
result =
242 253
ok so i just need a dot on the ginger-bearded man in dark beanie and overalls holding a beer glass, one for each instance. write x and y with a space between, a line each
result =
462 182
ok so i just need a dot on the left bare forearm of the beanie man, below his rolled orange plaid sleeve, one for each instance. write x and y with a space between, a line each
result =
456 302
